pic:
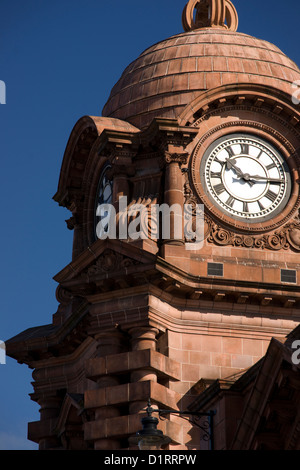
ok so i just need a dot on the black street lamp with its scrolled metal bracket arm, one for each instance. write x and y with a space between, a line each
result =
151 438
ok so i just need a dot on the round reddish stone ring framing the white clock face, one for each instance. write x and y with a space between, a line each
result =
263 225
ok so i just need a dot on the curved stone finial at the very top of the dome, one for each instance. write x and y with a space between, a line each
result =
209 14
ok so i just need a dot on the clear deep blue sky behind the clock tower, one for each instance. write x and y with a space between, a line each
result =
59 60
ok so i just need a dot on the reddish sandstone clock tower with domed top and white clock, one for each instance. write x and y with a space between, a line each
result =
202 119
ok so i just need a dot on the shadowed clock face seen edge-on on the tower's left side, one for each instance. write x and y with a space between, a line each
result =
104 196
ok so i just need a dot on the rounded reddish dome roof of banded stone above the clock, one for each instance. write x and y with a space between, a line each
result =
169 75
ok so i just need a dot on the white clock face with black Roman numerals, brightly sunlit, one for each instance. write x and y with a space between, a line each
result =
246 177
